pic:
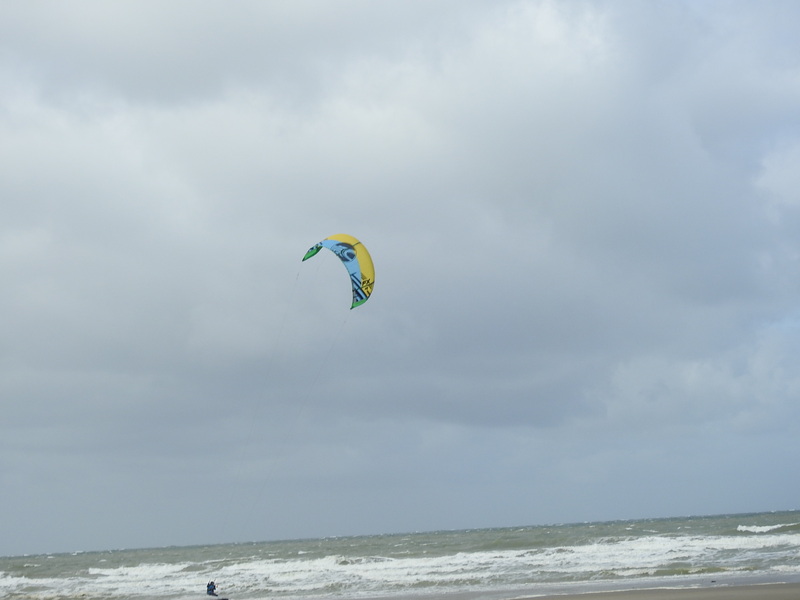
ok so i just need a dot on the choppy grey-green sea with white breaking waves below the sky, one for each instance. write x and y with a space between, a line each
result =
472 564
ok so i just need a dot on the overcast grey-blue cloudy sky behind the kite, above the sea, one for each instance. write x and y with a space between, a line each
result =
585 223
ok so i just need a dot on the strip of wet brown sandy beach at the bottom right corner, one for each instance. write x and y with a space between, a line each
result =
771 591
